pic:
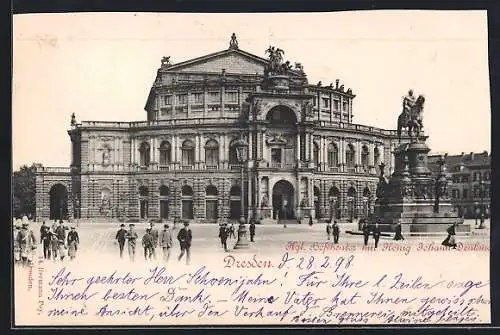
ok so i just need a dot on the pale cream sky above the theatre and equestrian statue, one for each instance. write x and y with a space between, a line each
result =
101 67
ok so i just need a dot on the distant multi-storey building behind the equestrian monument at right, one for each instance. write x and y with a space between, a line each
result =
466 172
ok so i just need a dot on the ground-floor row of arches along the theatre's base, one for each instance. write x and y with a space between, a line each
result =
219 200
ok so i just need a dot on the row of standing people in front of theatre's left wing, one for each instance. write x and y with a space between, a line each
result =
152 240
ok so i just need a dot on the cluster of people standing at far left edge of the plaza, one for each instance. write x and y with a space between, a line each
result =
54 241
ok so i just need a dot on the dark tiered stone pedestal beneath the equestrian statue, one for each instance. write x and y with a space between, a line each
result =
413 197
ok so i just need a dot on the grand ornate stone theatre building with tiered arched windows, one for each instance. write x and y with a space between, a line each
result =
305 154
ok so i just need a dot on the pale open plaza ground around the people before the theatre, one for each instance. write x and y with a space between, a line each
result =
97 240
